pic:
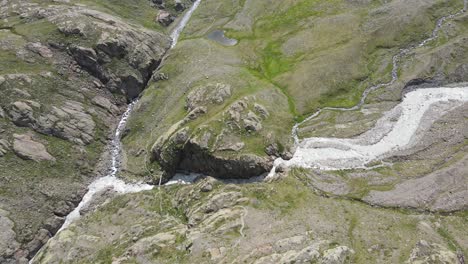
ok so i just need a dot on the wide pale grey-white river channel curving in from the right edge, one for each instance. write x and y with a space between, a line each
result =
385 138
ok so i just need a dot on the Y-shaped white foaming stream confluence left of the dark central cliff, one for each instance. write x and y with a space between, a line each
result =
109 182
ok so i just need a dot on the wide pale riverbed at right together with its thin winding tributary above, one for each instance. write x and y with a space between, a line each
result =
388 136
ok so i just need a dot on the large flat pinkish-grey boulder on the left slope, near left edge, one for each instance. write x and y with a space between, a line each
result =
27 149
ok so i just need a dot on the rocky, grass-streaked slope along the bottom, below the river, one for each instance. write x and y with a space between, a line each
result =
279 222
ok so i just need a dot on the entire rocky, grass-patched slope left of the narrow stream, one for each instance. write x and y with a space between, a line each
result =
67 71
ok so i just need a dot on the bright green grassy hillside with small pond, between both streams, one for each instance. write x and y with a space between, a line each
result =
292 57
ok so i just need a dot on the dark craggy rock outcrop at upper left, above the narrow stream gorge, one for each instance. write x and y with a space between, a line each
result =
121 55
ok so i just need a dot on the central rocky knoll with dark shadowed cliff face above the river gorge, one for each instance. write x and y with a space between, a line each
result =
204 150
